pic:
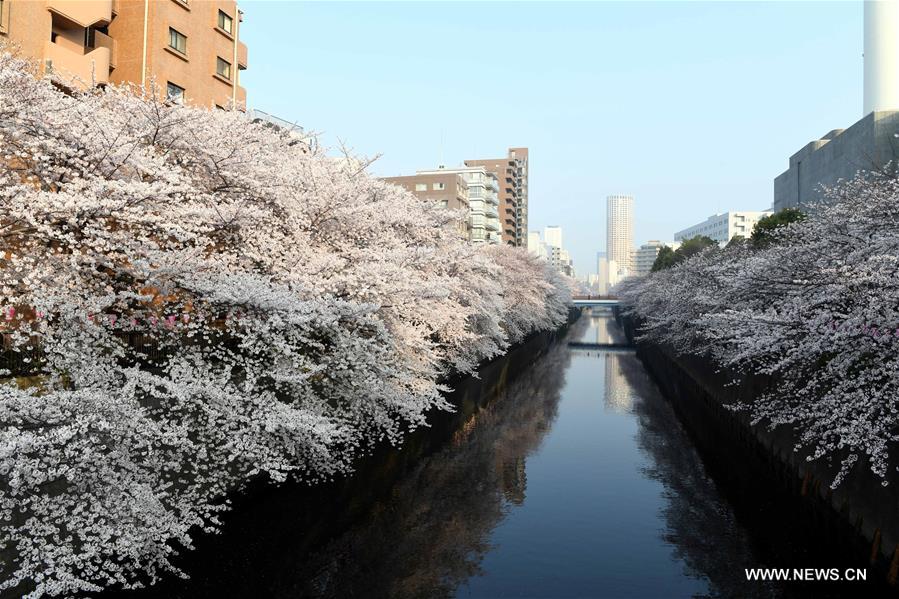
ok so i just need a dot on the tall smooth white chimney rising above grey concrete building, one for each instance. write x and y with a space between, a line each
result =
881 55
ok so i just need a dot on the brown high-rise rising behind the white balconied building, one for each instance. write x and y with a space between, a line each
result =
512 174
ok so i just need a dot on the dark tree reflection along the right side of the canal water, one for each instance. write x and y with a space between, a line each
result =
700 523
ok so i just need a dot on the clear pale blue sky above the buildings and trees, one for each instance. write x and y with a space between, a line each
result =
691 107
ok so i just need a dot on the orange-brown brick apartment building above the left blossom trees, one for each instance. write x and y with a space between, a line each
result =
189 49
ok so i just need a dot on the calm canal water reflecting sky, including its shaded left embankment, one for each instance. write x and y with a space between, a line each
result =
571 479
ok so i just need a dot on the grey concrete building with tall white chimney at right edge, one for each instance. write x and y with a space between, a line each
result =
868 145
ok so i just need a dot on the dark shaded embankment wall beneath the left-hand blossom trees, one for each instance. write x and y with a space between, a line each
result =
270 526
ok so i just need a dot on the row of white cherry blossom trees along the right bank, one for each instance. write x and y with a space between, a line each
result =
815 308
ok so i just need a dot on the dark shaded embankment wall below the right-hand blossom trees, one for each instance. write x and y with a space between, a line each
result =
859 519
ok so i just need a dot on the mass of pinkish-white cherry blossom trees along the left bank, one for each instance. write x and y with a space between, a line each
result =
193 300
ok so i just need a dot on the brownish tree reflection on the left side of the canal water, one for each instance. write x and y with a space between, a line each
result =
431 534
